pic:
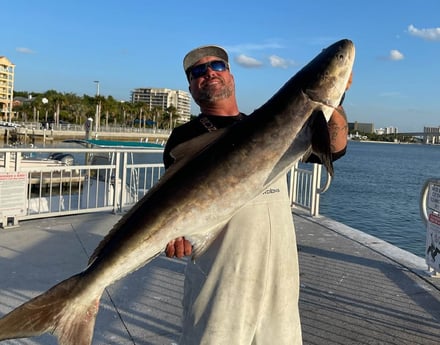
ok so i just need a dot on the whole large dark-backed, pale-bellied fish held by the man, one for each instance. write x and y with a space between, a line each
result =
213 176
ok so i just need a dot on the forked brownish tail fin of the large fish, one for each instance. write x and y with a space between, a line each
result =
64 310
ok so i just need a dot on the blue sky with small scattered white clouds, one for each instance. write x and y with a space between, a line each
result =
67 45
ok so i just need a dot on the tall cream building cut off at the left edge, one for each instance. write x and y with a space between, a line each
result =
6 88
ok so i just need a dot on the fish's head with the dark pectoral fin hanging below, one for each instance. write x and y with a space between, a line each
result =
321 84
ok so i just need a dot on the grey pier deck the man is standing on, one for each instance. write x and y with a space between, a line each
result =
355 288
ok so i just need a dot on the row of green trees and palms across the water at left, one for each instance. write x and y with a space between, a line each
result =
55 107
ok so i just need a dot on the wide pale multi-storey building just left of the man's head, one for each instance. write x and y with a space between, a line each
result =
164 98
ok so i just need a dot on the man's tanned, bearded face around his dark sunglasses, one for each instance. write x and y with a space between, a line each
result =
213 85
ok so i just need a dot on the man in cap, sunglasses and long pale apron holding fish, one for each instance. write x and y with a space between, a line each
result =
244 289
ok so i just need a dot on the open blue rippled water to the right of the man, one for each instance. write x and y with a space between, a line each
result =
377 187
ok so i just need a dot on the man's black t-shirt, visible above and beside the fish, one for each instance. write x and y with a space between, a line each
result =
197 127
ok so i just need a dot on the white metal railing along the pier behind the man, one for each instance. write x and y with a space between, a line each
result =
65 181
